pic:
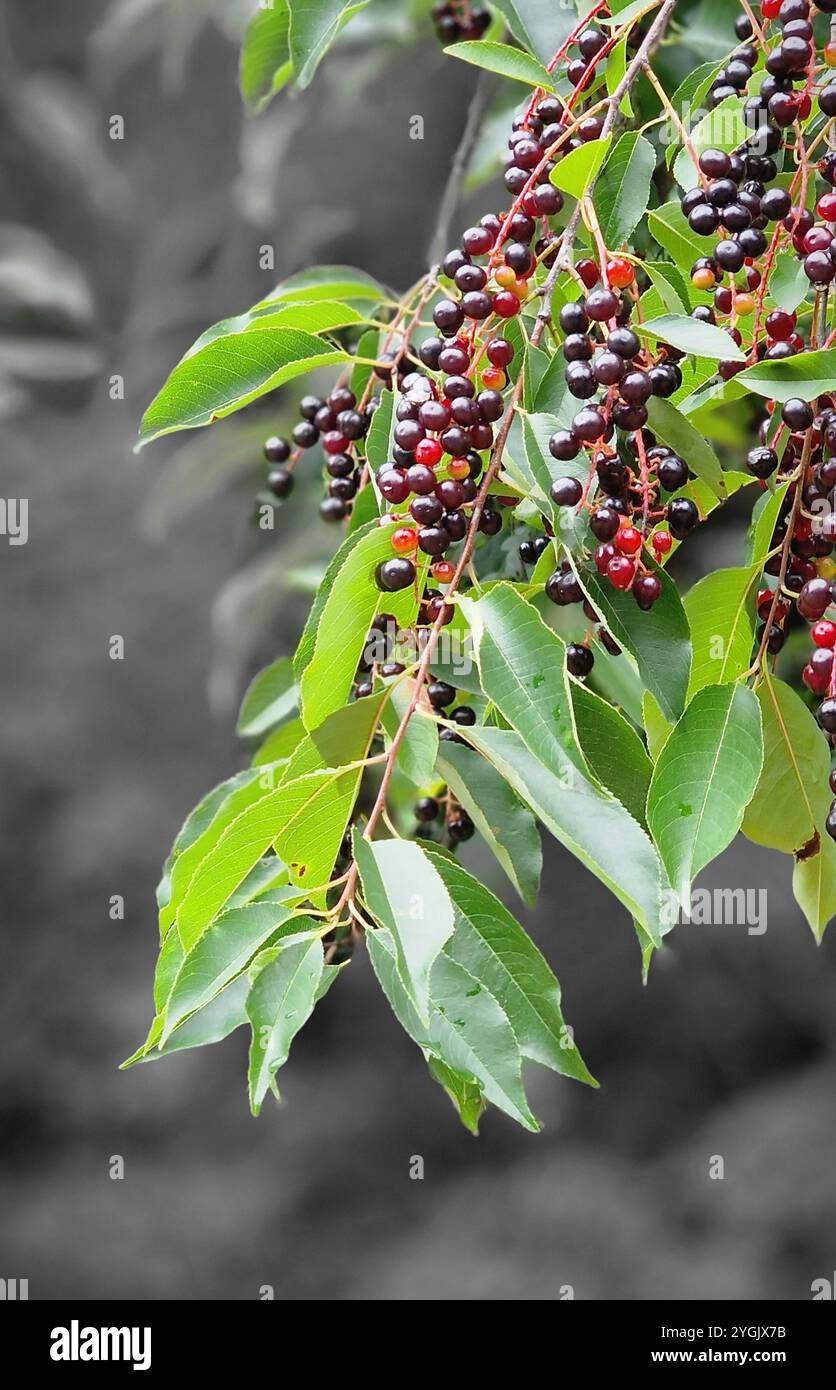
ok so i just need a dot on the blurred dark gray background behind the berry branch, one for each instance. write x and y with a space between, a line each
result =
113 256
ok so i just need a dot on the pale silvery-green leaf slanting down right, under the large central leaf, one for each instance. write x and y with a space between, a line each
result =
590 824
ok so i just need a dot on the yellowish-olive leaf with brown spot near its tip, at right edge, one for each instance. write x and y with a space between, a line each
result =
785 812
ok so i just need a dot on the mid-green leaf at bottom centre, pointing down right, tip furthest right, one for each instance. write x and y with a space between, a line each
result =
493 947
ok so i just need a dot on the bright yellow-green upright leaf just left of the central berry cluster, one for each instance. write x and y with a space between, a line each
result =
344 621
